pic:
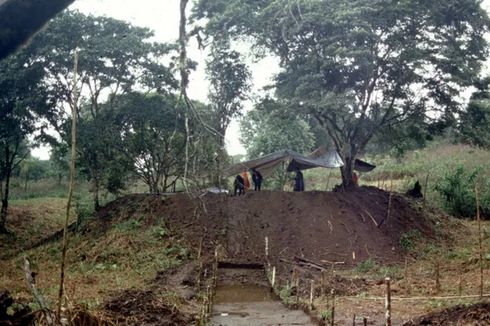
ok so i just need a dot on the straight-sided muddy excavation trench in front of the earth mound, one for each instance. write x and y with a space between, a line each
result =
243 297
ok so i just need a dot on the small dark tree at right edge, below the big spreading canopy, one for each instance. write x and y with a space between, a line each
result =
474 125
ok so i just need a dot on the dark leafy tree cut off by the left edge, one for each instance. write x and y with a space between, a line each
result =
23 103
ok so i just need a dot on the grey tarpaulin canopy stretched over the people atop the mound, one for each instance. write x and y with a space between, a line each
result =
319 158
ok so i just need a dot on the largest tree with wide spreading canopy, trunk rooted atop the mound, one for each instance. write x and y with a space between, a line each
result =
358 66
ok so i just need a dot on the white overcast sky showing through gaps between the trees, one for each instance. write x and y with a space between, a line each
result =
162 16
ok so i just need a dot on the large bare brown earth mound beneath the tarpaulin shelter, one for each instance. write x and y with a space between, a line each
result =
348 227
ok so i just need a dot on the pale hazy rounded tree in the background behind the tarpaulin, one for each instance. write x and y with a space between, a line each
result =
270 127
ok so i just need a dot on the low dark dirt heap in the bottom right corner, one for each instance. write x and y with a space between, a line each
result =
478 314
